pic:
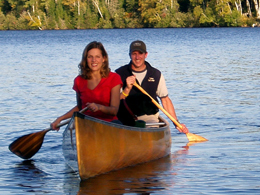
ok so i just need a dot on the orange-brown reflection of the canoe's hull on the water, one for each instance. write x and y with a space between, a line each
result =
141 179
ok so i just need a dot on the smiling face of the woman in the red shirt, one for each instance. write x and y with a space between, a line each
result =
95 59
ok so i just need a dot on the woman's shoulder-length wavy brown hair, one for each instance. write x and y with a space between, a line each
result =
84 69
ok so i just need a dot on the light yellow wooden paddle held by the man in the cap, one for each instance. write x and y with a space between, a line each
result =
191 137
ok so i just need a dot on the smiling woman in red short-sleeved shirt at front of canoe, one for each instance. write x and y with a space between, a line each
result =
97 88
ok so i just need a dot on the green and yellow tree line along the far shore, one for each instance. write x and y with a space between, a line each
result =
94 14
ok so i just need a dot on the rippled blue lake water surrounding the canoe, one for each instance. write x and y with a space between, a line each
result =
213 77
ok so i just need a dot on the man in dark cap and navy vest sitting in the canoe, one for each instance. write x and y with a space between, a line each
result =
151 80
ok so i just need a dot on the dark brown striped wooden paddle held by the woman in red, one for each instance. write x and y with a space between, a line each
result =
28 145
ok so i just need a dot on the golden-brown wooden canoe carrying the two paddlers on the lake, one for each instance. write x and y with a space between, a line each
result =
92 146
